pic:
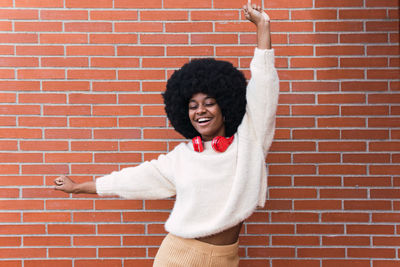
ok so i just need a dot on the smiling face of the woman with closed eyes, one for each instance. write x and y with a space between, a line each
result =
206 117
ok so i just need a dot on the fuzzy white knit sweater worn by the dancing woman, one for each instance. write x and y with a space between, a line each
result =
214 191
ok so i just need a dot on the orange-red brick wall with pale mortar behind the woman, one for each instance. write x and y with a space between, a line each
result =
80 85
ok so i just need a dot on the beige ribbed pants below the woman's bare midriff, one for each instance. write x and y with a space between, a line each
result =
181 252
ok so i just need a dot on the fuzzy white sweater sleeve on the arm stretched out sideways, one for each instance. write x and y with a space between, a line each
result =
149 180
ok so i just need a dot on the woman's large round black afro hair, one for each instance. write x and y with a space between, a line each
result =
215 78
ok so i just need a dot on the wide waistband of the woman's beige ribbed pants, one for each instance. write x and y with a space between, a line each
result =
213 250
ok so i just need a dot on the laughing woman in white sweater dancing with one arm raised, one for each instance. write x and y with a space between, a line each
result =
219 178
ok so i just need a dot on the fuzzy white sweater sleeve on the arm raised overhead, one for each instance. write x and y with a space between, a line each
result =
262 96
